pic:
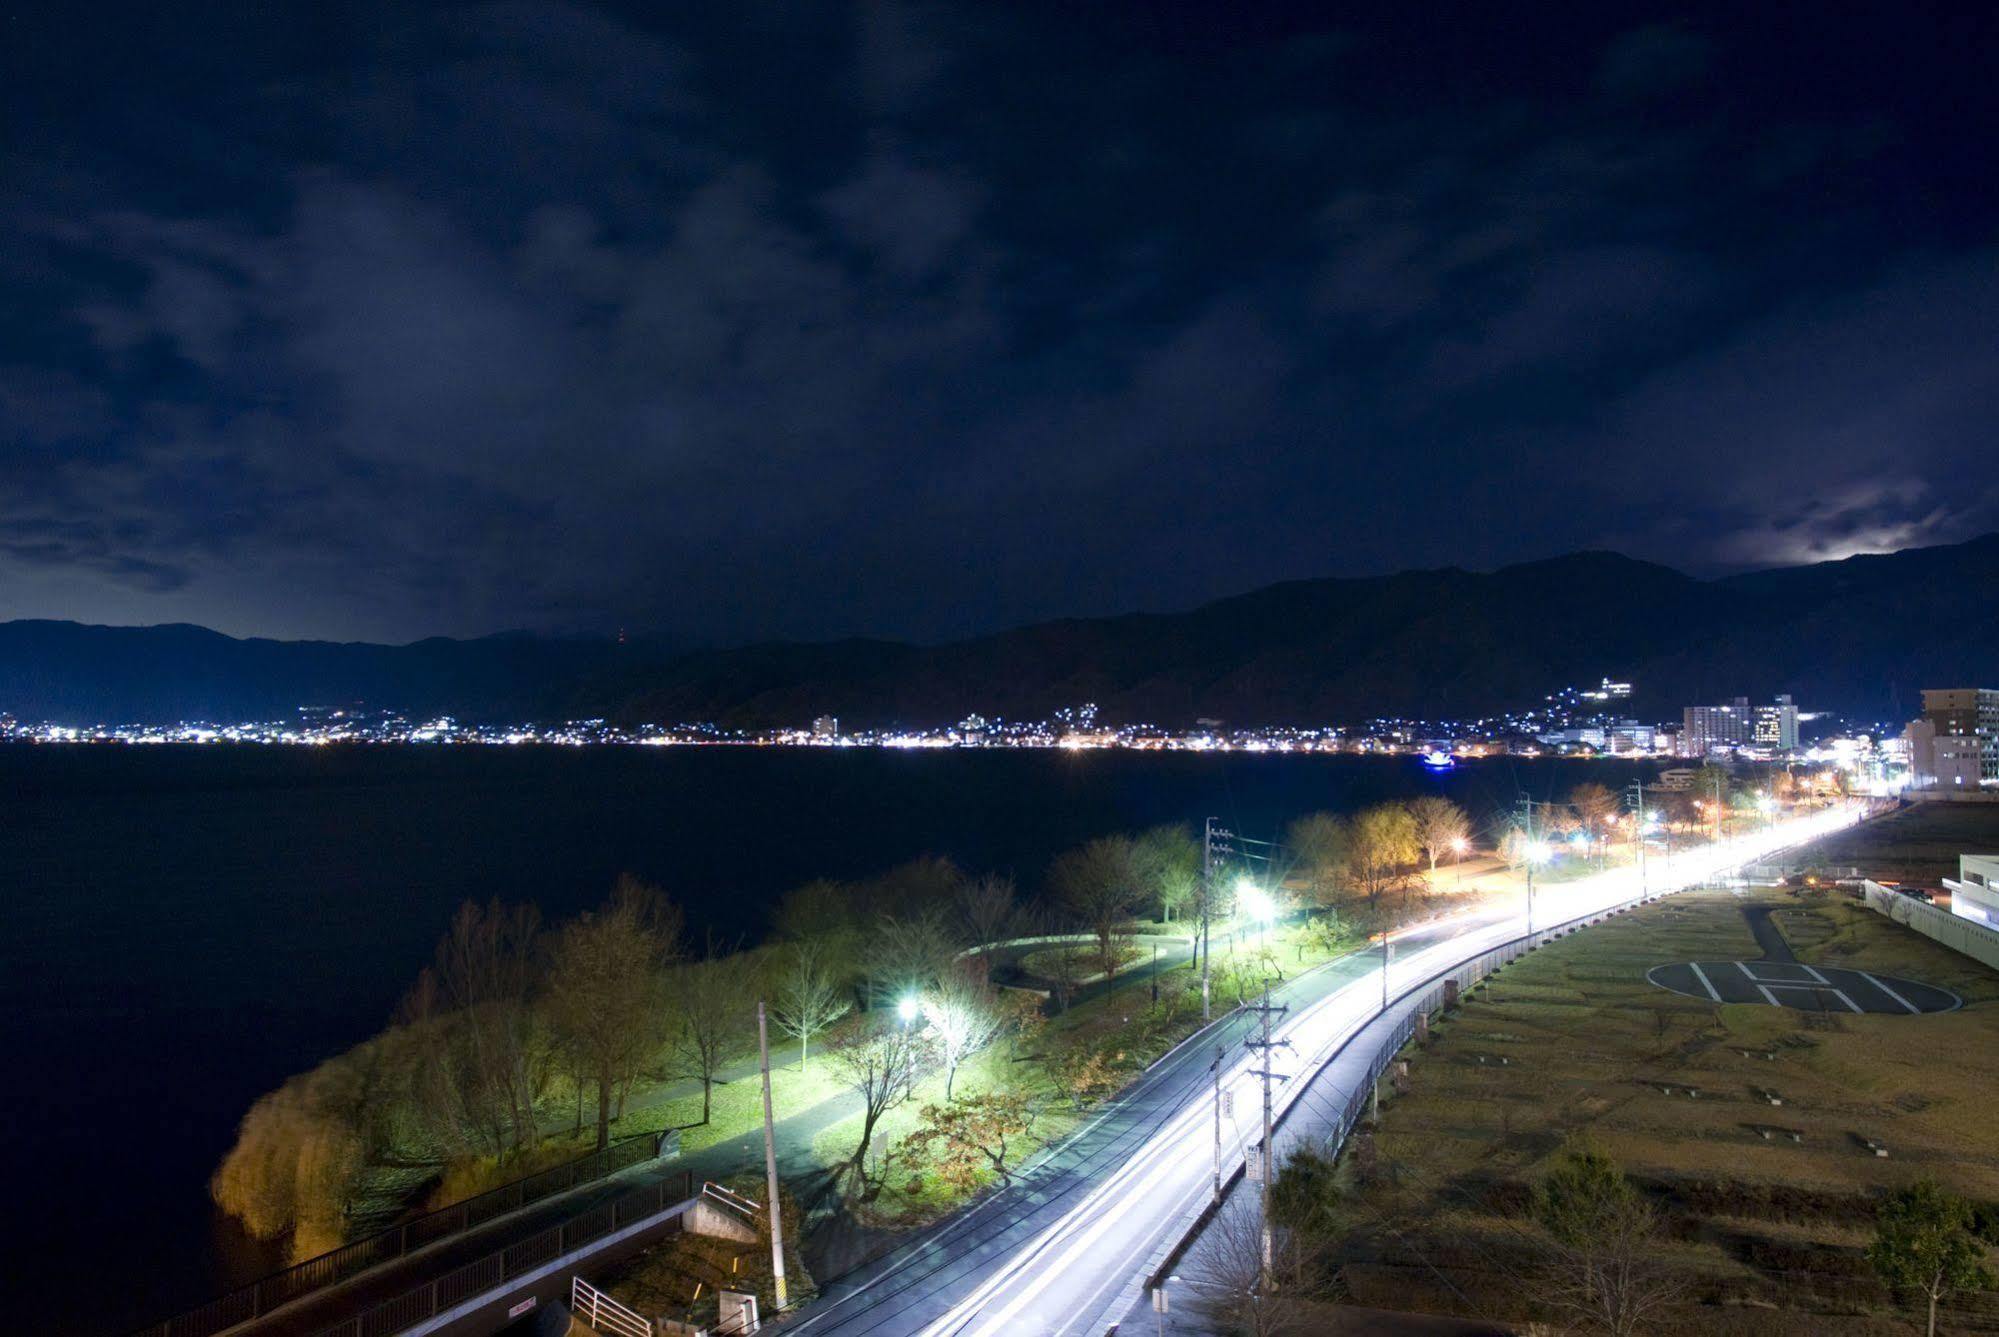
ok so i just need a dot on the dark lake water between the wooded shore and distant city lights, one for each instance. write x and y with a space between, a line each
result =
183 928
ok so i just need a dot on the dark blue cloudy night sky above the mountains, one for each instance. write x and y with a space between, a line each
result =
747 321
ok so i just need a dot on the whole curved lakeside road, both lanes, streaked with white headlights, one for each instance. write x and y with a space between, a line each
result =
1066 1248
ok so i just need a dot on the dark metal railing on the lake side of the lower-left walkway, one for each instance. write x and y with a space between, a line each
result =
337 1266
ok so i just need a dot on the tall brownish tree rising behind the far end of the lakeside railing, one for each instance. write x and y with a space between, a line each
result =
605 988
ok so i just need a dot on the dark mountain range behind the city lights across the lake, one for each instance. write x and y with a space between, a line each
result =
1858 637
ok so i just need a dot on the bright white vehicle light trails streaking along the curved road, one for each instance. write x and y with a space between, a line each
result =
1056 1282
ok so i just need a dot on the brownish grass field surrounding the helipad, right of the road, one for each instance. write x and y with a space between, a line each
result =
1764 1232
